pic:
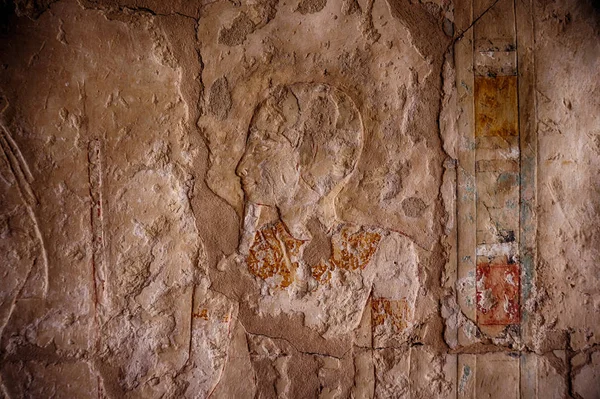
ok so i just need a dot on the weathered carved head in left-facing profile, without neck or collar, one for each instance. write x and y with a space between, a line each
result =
303 131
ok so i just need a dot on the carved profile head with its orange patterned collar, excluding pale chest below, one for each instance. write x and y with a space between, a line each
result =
303 142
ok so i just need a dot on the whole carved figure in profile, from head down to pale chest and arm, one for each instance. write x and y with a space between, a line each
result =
303 144
